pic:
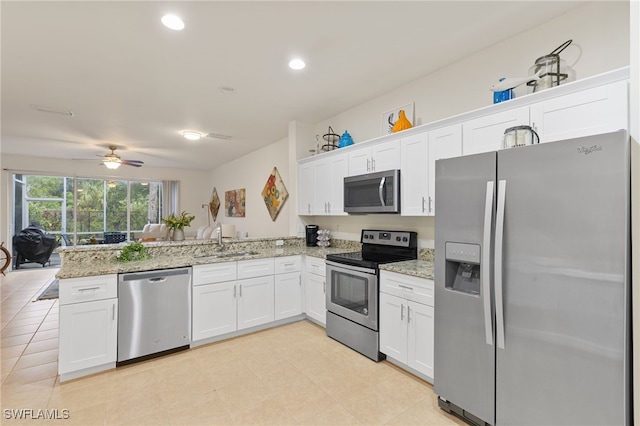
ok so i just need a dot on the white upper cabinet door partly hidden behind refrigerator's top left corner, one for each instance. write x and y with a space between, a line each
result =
445 142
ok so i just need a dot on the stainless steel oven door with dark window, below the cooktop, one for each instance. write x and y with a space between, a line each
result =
352 293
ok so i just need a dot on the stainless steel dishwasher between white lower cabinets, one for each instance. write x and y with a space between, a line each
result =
154 313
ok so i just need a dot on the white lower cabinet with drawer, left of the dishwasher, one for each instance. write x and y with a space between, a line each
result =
88 324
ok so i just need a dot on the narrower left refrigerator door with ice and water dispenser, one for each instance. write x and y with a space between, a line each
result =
464 345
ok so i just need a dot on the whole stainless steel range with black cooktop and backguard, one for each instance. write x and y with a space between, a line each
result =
353 288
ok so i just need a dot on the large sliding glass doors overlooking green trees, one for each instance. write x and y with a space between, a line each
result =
100 205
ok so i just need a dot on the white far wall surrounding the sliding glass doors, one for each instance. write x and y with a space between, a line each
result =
193 183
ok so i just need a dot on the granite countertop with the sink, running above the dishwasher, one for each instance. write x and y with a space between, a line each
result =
111 266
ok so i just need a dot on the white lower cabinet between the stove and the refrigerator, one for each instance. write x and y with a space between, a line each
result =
406 321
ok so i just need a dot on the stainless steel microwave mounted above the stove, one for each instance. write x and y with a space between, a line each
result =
372 193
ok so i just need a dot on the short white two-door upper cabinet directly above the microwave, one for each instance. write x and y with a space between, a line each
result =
376 158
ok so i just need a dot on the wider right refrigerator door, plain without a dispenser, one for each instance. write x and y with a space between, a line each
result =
565 274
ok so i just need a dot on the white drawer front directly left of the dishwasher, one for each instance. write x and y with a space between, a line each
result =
87 289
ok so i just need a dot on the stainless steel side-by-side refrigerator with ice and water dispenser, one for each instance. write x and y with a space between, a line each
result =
532 284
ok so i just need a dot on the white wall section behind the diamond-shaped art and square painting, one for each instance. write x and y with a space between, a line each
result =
251 172
